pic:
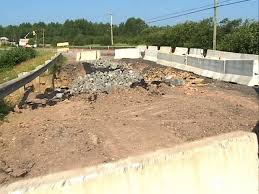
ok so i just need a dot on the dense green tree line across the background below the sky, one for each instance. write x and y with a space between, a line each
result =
233 35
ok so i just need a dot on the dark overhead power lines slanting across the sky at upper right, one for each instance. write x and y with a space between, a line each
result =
197 11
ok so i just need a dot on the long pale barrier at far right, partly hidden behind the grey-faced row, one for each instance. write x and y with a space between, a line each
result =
230 55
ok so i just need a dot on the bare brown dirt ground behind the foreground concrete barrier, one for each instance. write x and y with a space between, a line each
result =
92 129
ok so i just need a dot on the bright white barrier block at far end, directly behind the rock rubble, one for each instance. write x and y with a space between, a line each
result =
130 53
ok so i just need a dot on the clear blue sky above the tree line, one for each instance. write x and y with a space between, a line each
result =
14 12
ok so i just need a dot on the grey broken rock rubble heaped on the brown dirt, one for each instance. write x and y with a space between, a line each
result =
106 75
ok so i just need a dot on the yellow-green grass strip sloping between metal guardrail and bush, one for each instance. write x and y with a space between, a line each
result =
7 74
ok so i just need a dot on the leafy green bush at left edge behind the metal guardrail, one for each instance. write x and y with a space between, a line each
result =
15 56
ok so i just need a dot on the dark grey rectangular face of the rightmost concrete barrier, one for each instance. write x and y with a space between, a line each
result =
239 67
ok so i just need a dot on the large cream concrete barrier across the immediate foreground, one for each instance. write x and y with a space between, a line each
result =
220 165
